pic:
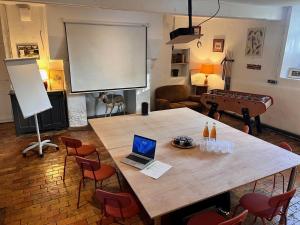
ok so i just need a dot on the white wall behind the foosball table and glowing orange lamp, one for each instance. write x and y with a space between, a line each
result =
284 113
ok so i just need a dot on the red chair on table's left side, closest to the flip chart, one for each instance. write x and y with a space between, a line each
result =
74 147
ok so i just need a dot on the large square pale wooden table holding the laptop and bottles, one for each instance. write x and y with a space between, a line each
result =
195 175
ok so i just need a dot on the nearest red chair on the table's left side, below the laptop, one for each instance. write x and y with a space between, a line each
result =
117 205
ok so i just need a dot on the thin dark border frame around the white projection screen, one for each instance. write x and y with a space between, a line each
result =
108 24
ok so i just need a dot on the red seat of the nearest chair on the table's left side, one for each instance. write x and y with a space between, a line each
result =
131 210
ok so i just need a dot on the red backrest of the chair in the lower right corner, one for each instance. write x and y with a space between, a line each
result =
281 201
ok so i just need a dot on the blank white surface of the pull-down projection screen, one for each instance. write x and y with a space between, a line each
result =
106 57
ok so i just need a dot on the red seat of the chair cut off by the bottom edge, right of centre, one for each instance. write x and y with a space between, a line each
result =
206 218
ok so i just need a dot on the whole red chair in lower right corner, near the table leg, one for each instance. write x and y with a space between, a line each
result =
266 208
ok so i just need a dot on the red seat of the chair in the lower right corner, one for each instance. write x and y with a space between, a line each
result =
257 204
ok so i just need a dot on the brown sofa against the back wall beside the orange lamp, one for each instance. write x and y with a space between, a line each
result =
176 96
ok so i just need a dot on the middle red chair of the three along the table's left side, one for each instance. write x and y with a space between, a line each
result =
94 170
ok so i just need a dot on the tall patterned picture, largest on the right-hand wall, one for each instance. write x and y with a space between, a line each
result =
255 41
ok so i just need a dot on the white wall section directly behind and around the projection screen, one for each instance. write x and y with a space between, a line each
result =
58 48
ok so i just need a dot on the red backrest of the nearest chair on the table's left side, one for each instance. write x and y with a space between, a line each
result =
116 200
